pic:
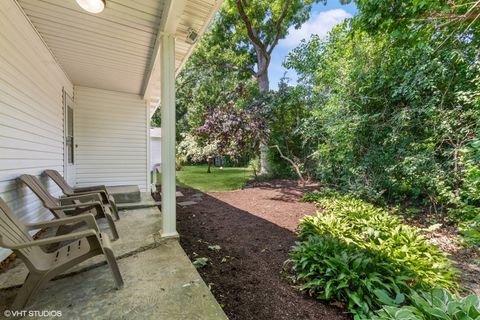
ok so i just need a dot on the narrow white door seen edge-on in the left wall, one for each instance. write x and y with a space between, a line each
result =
70 143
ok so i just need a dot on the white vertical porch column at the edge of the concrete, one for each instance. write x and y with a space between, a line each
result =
167 105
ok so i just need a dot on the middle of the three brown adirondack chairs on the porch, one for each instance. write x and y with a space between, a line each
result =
60 207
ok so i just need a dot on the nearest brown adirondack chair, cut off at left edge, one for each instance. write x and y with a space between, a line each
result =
44 266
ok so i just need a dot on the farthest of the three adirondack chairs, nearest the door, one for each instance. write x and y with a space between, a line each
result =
107 199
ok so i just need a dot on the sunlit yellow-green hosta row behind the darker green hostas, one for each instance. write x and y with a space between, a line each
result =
369 227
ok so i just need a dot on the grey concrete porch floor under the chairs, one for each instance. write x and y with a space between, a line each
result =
160 280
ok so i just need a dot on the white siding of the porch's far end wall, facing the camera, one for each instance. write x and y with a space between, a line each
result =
111 133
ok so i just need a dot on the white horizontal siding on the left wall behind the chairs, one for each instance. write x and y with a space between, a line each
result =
31 112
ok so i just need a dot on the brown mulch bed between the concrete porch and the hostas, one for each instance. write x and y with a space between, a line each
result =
255 229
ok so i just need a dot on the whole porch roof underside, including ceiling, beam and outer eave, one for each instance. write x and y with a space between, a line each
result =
118 49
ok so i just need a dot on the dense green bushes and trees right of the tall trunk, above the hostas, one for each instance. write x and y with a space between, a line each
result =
388 108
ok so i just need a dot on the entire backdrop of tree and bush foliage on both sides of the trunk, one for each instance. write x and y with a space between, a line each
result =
386 106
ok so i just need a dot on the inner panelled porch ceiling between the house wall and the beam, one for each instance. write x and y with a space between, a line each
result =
111 50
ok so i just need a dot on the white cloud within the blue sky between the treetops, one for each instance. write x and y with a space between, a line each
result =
320 24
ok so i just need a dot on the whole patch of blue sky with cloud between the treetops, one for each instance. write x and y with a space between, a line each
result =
322 19
